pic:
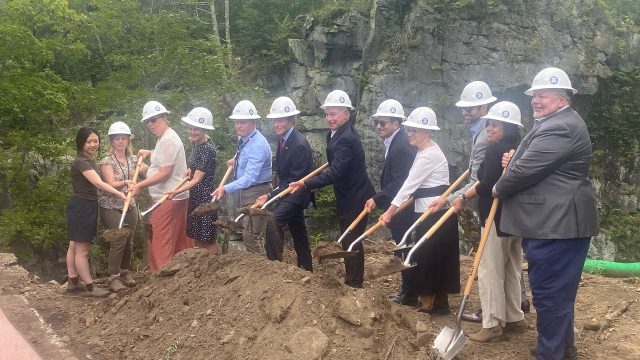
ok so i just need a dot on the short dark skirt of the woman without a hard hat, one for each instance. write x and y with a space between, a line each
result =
82 219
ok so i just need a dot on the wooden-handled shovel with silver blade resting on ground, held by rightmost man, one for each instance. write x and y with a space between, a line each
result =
449 342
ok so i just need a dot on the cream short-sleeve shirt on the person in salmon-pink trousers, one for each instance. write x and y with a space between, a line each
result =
168 151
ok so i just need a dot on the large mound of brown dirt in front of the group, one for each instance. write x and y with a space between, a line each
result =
243 306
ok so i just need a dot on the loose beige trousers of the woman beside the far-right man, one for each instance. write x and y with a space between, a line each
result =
499 280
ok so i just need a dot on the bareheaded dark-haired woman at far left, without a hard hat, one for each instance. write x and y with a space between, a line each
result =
82 212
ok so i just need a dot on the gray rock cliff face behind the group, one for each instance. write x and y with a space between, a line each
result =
429 58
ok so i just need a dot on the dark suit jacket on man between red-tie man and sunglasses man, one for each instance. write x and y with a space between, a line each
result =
347 172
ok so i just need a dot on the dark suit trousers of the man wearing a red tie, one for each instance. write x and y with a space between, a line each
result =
287 213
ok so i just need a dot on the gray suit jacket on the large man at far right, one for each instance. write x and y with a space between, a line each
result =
546 192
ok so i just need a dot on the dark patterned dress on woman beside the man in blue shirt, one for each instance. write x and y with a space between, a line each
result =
203 158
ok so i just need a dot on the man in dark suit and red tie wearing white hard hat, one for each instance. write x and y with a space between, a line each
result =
294 160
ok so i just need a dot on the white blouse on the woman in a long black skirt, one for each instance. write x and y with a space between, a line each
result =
429 169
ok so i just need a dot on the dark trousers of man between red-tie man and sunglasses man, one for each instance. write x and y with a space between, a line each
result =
354 265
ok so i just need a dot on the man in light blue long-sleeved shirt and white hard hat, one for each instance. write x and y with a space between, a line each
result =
252 176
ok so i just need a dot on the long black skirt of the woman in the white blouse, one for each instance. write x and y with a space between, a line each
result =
438 259
